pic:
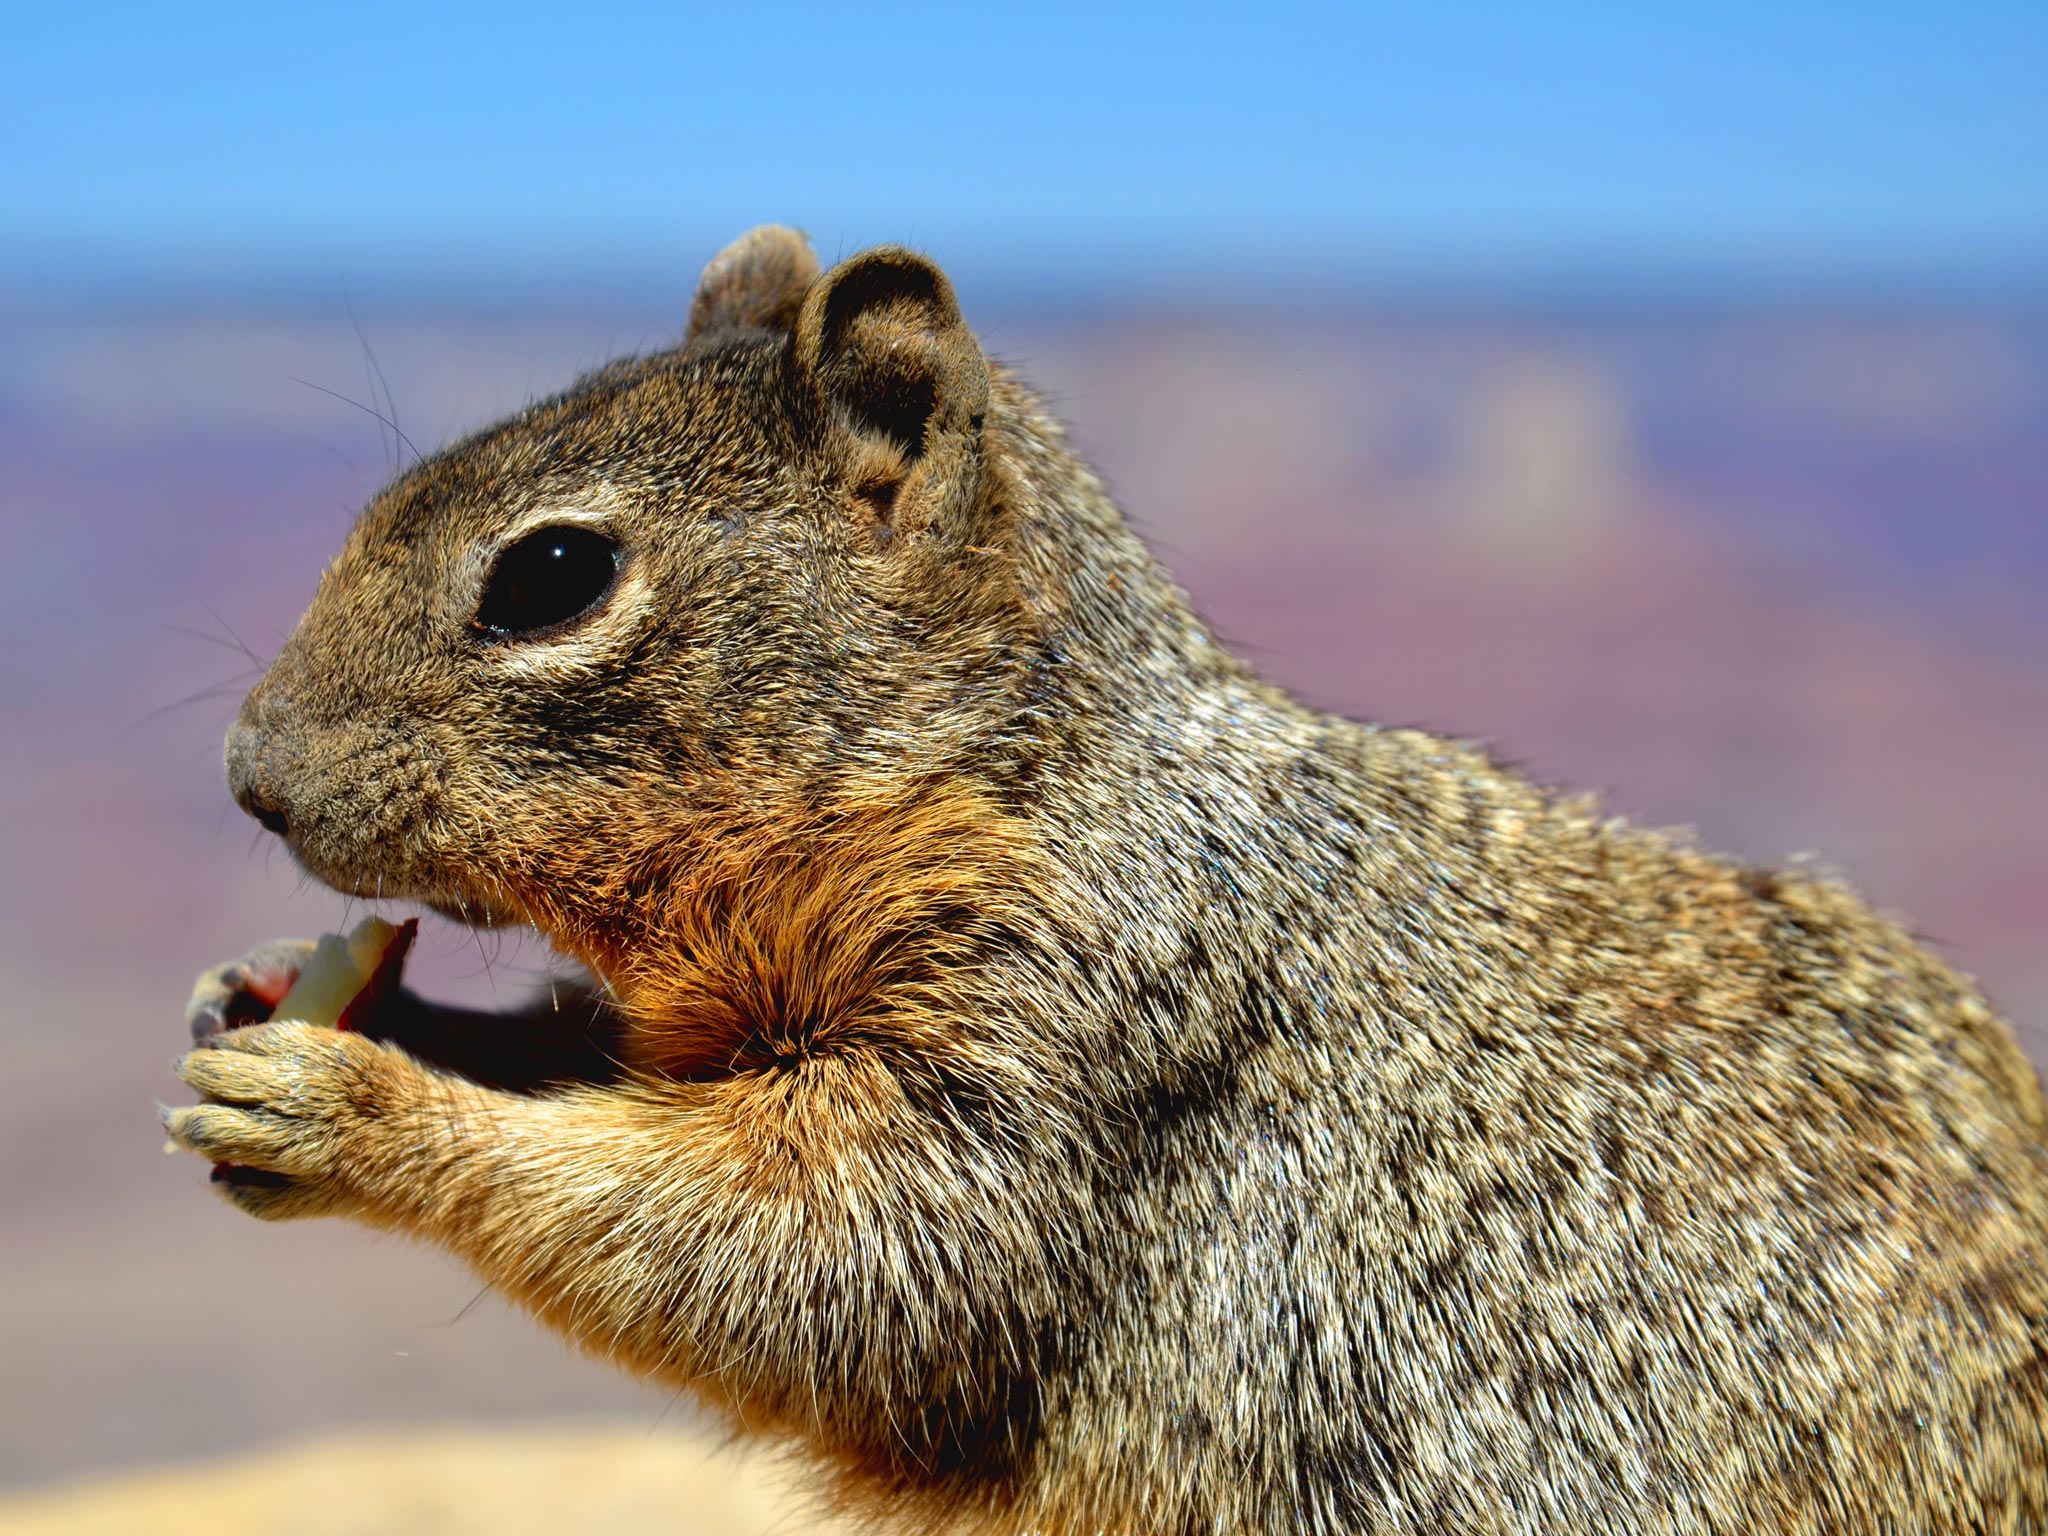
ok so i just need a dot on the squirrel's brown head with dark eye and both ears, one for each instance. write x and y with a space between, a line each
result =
755 577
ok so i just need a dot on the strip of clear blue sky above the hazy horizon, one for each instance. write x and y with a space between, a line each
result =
1134 140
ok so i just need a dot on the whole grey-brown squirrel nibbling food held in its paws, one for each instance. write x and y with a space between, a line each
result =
1046 1076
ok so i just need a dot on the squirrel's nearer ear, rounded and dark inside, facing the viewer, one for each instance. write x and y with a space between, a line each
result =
882 339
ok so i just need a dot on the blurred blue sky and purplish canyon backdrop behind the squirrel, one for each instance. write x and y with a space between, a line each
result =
1666 407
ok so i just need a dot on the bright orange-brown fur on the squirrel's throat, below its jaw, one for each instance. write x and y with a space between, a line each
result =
755 941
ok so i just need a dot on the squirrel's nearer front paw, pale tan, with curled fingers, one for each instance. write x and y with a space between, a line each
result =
292 1115
